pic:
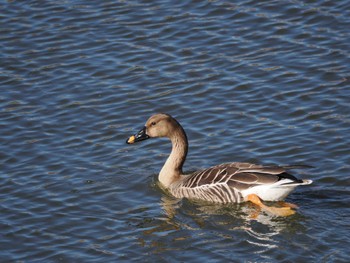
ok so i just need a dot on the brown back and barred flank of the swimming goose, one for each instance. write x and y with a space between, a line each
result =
224 183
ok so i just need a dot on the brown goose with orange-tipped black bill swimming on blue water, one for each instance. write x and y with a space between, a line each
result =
224 183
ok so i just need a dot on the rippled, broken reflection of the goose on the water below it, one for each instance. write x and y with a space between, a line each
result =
239 225
